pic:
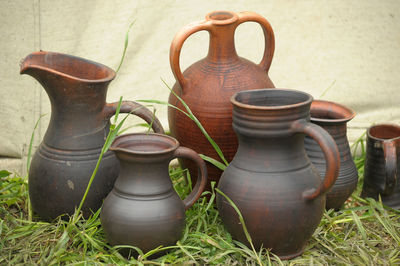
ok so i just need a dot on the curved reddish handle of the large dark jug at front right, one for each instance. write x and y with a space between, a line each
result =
331 153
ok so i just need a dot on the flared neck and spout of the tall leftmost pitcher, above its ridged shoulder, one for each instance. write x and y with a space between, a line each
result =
77 90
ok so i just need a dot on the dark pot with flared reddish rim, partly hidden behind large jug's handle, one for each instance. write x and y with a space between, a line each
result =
333 117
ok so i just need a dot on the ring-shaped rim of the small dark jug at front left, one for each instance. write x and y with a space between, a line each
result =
139 138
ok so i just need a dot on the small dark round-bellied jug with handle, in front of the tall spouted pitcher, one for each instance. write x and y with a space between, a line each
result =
143 209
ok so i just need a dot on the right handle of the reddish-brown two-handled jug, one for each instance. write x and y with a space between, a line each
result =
269 37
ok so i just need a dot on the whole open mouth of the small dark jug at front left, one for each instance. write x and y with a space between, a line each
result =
144 144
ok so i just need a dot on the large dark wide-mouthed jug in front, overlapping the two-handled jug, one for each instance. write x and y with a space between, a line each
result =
271 179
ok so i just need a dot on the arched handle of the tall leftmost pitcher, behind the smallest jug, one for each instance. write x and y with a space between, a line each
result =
137 109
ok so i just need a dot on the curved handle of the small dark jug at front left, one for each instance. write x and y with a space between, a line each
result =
186 153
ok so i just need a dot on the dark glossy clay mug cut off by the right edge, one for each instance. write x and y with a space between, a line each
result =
382 164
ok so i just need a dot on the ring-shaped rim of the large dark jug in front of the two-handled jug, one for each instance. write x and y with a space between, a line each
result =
307 100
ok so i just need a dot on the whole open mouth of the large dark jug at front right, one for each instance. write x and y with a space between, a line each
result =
271 99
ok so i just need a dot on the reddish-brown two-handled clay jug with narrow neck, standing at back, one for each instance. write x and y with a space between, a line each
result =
207 85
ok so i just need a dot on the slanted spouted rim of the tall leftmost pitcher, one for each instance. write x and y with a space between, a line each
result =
26 65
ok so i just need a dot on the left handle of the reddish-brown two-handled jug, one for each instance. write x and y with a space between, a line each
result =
177 43
